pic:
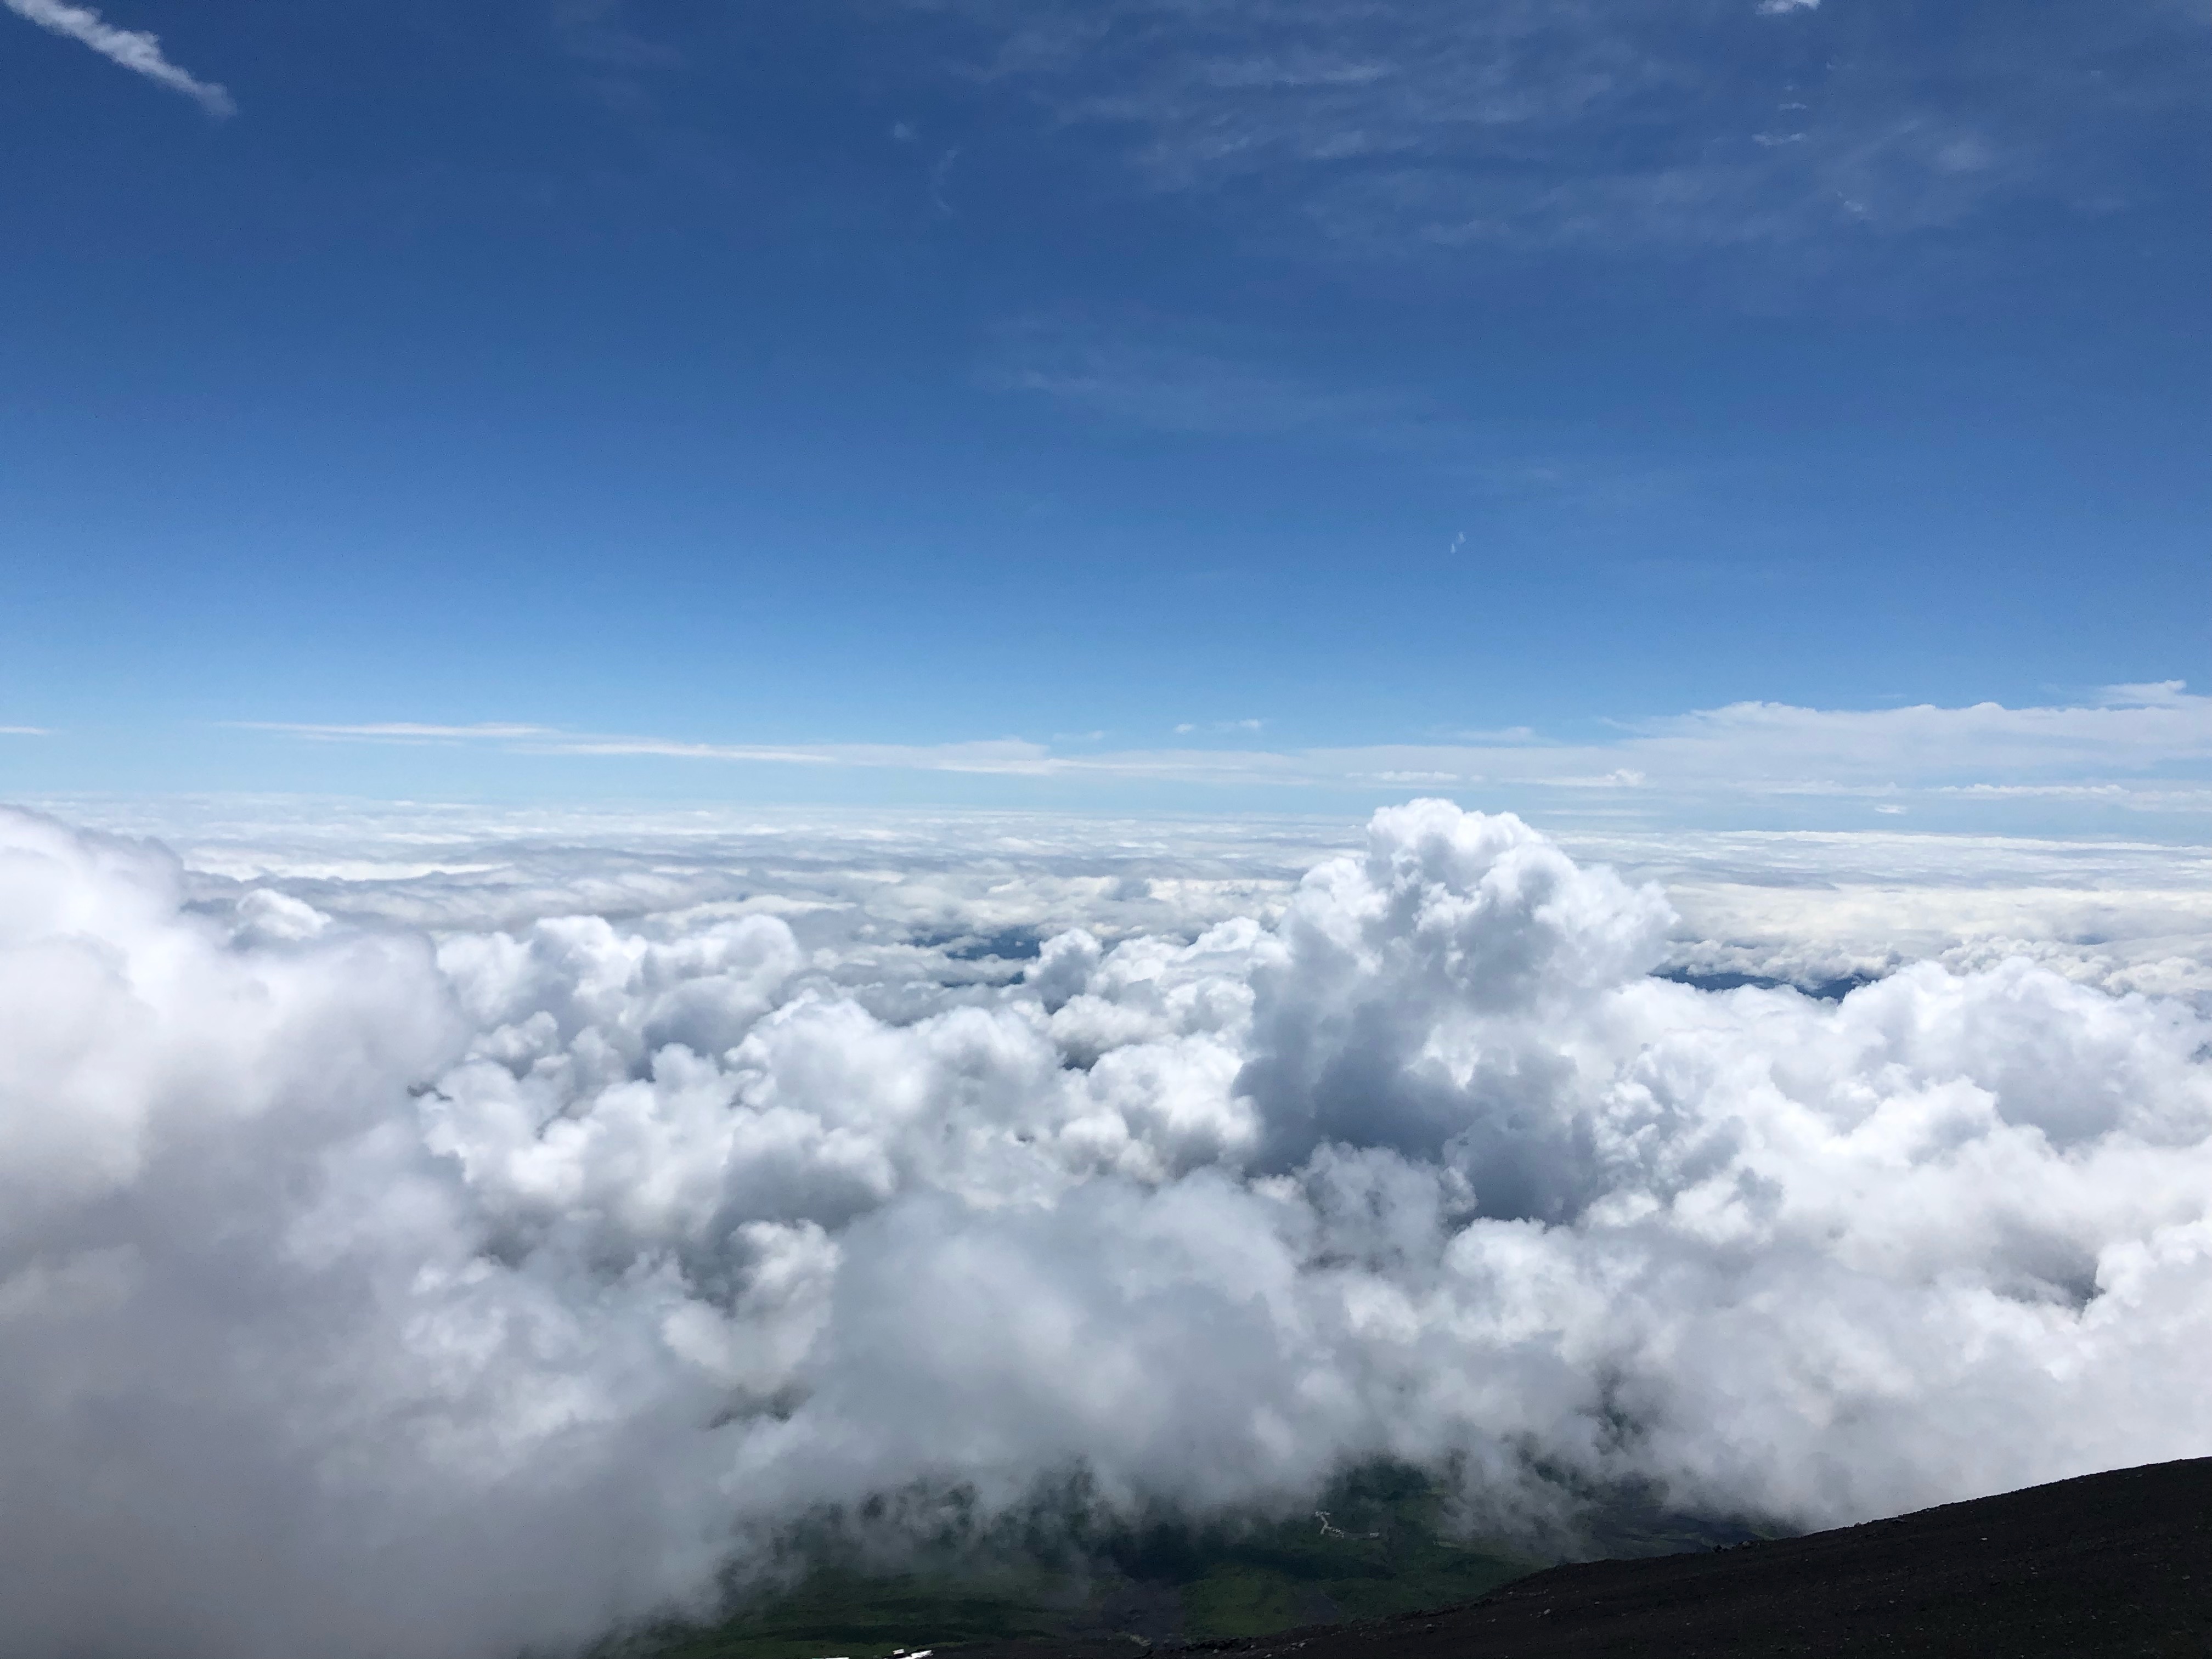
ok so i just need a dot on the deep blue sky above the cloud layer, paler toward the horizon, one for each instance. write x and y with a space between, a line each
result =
435 399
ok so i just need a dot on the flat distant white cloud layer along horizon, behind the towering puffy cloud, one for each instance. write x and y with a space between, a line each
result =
1808 906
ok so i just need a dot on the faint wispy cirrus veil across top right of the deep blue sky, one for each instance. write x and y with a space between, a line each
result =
1634 125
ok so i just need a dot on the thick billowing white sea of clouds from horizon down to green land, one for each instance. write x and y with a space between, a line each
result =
428 1233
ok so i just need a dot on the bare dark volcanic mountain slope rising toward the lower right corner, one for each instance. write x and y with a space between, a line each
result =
2105 1565
